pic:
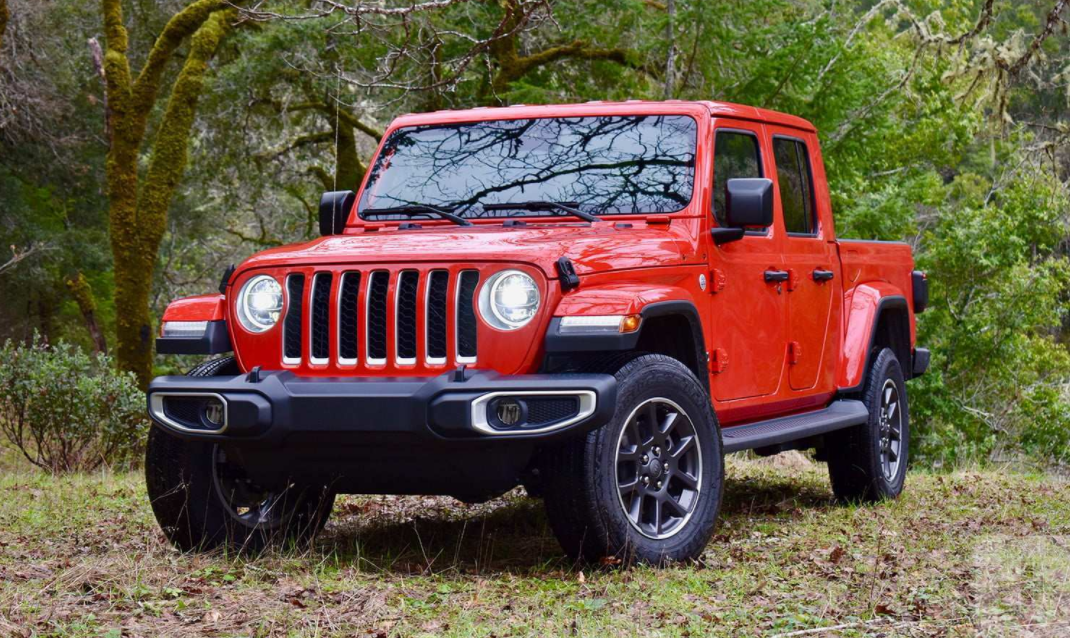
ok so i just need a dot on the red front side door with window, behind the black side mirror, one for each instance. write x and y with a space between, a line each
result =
748 315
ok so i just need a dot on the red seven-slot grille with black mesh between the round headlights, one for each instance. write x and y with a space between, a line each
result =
353 315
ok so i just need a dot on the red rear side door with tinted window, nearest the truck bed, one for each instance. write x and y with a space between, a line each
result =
809 253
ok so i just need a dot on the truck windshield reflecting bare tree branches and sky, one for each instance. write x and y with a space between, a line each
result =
599 165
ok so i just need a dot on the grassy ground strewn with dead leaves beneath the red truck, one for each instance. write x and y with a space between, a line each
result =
966 554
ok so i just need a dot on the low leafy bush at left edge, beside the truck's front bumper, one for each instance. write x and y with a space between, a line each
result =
68 412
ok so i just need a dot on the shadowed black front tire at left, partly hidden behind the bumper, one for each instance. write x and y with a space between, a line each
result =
184 490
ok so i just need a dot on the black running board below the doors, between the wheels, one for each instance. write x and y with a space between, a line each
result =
840 415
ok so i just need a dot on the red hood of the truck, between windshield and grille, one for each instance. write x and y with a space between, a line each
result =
598 248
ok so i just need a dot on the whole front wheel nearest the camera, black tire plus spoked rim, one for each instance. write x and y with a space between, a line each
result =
647 488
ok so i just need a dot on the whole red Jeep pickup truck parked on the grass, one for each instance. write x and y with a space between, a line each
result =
595 301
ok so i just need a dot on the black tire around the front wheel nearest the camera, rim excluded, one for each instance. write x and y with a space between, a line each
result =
582 476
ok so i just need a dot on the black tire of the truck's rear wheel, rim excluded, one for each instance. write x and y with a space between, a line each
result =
855 465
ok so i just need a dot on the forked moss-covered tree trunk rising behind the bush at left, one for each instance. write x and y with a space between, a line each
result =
139 202
